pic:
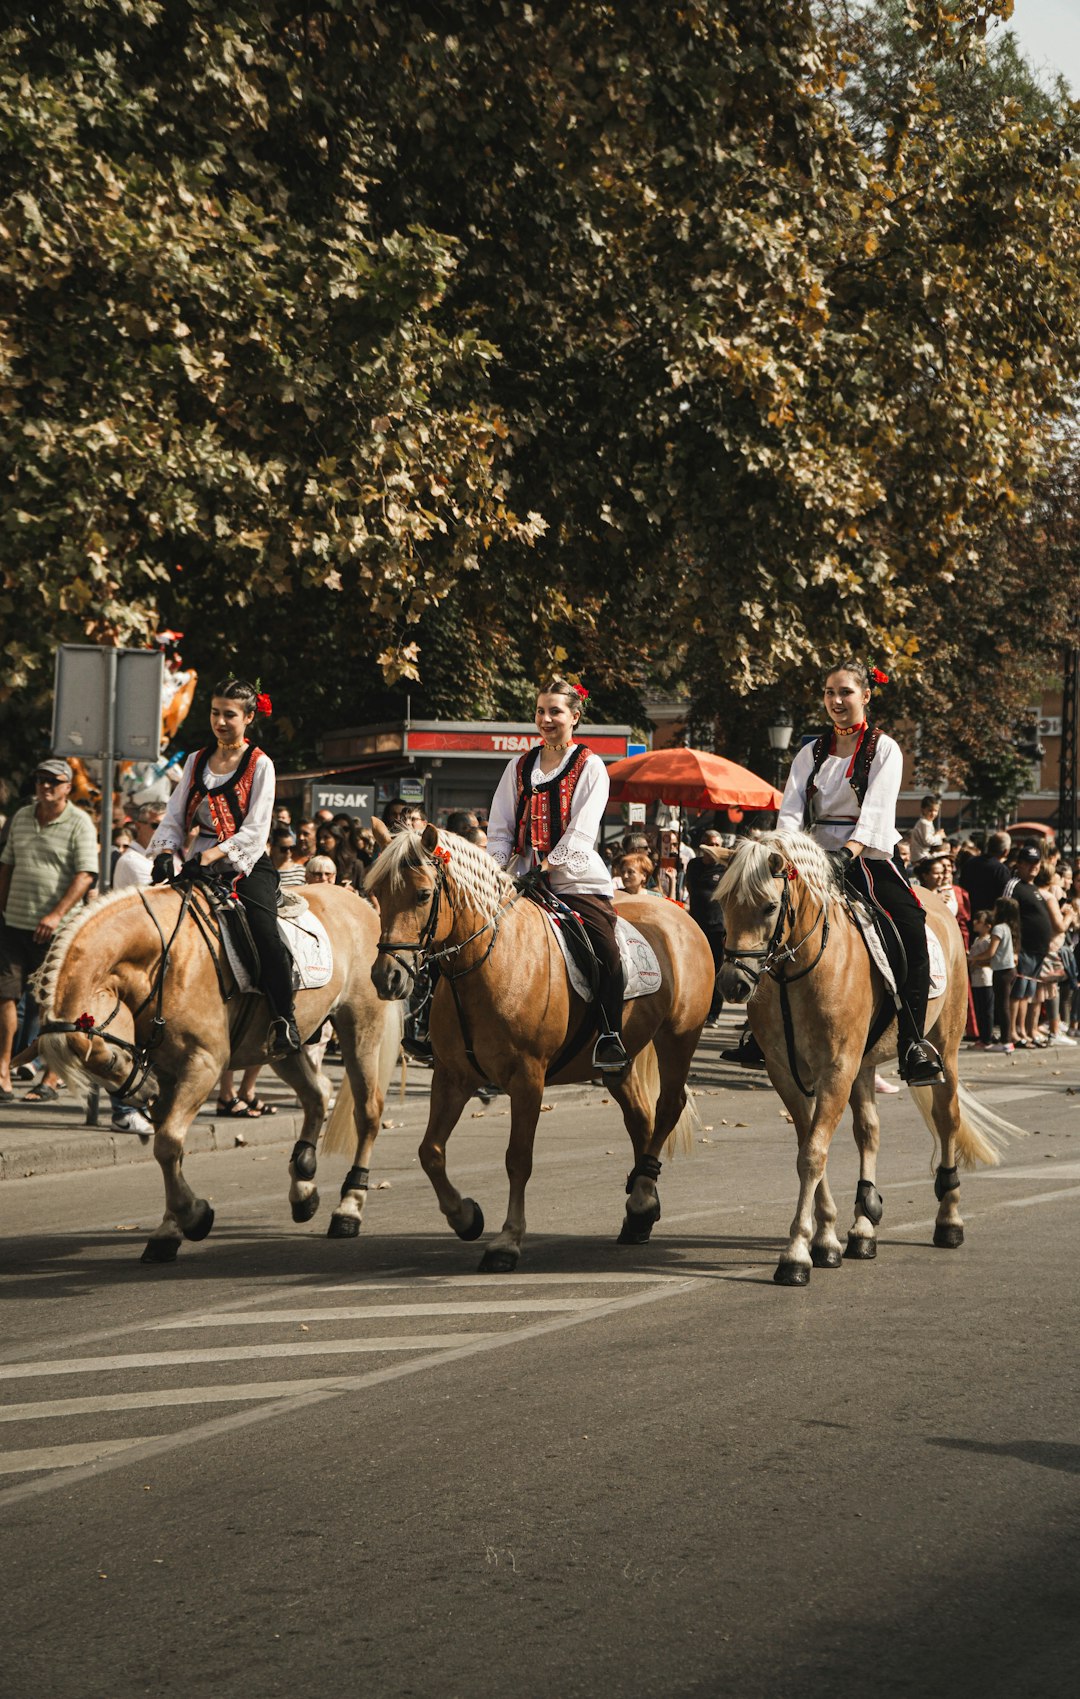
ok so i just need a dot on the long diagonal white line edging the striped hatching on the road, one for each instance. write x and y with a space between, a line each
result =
227 1425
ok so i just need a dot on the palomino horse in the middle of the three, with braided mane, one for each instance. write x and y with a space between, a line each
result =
503 1012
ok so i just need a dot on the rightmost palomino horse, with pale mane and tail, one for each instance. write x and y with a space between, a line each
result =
814 1002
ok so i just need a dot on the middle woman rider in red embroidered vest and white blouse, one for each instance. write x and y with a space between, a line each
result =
548 815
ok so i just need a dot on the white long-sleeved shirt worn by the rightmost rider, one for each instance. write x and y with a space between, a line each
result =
838 816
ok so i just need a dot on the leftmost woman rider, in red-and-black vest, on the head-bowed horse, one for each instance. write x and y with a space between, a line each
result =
227 799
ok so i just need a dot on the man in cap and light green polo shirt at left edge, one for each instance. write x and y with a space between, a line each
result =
48 866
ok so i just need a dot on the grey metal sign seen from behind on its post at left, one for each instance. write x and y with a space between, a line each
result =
108 708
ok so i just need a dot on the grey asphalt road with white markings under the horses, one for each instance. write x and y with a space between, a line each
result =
288 1465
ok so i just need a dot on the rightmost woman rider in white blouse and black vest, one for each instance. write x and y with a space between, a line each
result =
843 791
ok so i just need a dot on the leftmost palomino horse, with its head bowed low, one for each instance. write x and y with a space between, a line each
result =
140 1002
